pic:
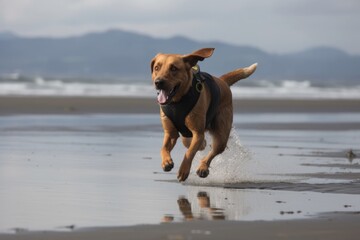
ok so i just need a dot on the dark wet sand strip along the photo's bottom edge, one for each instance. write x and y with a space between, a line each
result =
335 226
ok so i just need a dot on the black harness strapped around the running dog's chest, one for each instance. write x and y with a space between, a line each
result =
177 111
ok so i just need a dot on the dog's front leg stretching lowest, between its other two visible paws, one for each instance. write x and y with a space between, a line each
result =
196 143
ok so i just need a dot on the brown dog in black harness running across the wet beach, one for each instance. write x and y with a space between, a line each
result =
192 102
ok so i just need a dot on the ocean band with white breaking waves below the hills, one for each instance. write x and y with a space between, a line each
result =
19 85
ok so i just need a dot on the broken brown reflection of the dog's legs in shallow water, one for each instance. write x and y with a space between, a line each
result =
206 211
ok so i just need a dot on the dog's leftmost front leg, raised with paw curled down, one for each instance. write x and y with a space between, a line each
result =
169 142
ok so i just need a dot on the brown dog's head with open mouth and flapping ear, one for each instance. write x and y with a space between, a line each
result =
172 75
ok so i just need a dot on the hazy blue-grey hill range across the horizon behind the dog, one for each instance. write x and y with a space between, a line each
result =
118 53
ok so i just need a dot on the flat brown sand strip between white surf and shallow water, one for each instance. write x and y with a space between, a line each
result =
14 105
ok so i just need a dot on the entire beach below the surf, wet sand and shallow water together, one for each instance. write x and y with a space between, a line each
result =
89 168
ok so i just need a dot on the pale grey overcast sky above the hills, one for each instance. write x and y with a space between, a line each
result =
276 26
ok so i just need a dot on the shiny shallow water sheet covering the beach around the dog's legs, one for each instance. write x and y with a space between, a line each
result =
64 171
